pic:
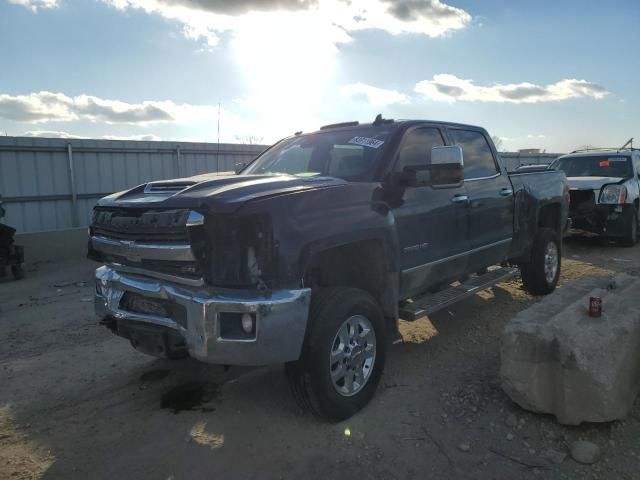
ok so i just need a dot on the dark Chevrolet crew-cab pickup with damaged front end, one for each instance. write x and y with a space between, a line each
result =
310 254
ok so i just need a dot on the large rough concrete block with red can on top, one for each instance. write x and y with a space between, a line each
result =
557 359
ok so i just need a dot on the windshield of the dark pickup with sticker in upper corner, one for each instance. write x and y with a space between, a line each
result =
348 154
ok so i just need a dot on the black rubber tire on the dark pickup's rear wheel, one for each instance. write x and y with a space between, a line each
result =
535 274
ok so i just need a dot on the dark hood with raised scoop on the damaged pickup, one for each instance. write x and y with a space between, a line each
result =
223 194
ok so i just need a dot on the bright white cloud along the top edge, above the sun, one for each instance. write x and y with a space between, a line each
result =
206 20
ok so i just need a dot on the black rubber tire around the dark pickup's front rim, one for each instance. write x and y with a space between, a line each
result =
310 377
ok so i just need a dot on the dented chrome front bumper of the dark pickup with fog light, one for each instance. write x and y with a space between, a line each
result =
167 319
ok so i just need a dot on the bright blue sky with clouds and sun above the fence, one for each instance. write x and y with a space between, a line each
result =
555 75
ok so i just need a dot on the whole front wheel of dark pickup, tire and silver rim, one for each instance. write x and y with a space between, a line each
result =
343 356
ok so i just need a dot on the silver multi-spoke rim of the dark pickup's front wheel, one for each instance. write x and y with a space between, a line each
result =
352 355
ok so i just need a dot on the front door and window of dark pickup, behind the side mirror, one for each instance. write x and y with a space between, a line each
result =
432 224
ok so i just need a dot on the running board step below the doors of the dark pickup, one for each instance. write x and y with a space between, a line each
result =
432 302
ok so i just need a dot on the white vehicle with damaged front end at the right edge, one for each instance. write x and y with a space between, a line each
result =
604 190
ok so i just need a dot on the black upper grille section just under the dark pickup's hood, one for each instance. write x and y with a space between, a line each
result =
148 226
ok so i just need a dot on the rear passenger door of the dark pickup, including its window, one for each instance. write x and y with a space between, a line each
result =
490 199
